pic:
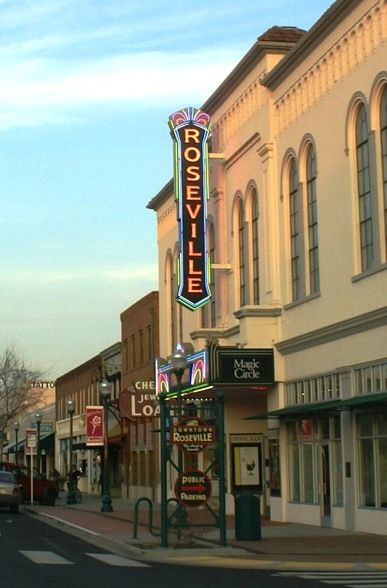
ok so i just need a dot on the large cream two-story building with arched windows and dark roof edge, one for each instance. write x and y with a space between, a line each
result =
296 233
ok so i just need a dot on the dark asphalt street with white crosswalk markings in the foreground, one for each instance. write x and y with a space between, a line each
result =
33 553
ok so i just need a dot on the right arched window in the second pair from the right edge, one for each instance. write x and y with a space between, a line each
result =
314 270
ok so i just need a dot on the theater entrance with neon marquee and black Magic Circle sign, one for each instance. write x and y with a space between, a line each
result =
243 377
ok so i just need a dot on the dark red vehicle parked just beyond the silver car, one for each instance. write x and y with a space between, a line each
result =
45 491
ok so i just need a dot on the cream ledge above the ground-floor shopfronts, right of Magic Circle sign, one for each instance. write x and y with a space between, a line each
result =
339 330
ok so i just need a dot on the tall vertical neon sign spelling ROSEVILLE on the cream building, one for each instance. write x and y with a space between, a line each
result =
190 130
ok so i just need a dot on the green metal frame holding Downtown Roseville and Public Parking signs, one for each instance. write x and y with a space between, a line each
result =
182 435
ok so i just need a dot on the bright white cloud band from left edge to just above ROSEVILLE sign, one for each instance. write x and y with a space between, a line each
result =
42 91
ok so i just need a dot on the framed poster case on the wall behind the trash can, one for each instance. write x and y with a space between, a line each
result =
246 456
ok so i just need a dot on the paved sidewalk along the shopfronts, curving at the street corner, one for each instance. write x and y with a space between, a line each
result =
283 545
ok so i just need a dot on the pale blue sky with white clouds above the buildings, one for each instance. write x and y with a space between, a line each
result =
86 89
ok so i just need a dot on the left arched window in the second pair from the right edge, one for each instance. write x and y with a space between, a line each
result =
296 236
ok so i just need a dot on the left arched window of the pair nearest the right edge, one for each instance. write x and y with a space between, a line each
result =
364 190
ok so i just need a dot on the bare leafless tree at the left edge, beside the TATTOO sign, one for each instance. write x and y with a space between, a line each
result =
16 394
